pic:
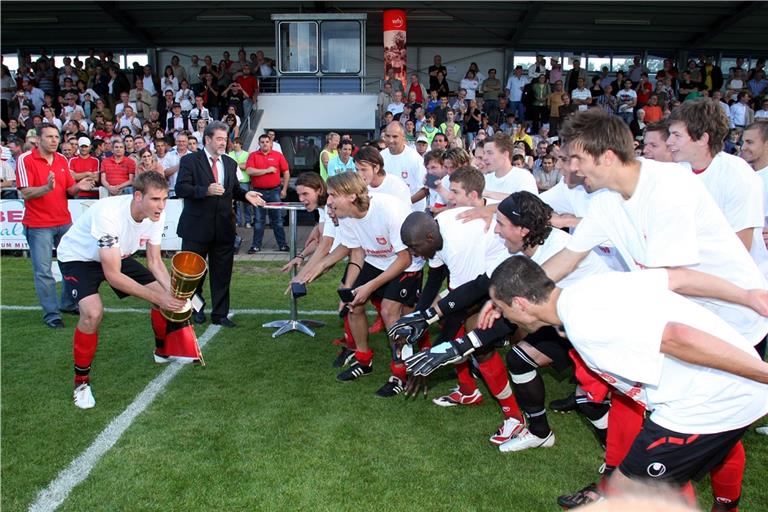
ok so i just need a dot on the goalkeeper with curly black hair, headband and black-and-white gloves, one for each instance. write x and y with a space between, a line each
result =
523 224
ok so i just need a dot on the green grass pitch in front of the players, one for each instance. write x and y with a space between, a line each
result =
264 425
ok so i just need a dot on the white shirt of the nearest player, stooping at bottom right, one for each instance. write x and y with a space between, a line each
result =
616 322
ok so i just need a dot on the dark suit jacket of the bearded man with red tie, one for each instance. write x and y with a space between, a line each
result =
207 218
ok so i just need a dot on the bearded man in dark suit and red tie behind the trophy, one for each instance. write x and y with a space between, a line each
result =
208 183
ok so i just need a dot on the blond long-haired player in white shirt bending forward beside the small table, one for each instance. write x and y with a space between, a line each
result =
380 266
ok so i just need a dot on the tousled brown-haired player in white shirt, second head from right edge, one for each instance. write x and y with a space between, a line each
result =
696 134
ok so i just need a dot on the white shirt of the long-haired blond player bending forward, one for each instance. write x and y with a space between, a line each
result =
378 233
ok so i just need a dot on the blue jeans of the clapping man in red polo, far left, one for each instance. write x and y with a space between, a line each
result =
41 242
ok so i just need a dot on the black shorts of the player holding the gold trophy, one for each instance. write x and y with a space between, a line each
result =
85 277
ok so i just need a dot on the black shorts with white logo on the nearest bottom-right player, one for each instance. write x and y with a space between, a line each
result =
662 454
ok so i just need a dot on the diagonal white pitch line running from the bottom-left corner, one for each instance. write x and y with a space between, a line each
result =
58 490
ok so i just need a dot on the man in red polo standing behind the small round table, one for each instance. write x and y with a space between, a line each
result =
265 167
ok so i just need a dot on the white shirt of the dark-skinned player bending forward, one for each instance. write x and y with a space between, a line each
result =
468 249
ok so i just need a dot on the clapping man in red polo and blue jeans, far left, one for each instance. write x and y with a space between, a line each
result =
44 182
